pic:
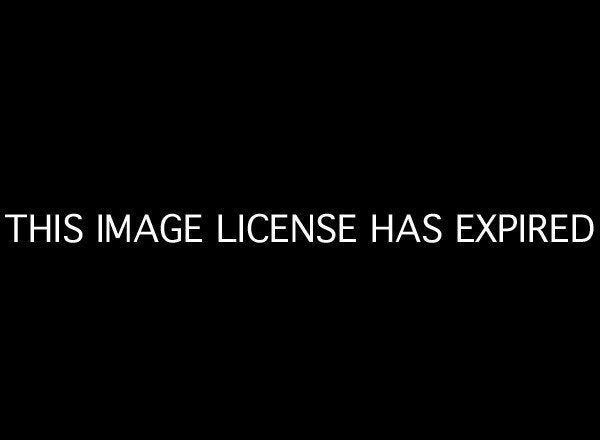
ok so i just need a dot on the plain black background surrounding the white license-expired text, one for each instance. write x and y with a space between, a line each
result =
368 113
